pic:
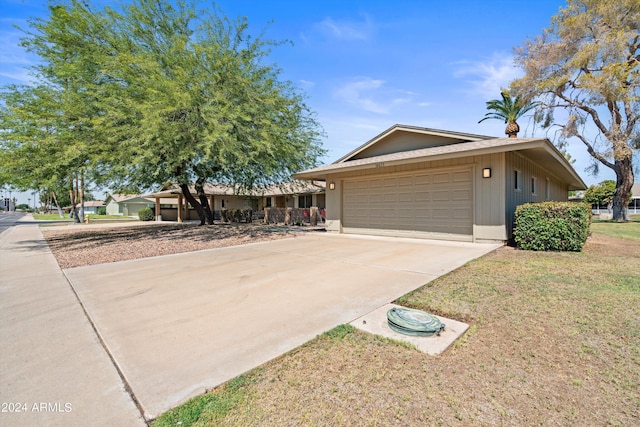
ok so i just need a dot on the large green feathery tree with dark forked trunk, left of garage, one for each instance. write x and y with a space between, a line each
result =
190 96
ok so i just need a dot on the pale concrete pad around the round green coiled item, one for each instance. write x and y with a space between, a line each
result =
376 323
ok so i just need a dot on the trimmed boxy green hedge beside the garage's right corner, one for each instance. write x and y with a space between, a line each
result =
552 226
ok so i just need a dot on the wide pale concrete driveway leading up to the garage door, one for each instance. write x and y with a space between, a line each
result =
181 324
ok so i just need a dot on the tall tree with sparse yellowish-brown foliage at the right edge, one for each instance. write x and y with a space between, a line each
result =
587 64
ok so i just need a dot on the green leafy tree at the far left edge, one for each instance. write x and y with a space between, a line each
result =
48 140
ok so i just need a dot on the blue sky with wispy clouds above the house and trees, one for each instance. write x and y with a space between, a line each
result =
366 65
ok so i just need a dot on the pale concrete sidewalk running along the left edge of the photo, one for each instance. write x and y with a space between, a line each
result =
53 369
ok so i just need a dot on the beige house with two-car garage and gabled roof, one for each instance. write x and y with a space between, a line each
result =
418 182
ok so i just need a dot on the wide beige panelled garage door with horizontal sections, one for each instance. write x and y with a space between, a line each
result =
436 203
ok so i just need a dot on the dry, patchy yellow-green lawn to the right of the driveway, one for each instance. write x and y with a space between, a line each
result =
554 340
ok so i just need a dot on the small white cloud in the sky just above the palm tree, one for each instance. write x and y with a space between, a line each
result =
487 78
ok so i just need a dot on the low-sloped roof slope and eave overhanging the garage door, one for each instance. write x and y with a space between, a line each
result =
538 150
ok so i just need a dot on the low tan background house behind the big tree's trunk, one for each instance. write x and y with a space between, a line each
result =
222 196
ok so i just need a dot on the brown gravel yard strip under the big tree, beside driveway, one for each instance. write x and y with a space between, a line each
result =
78 246
